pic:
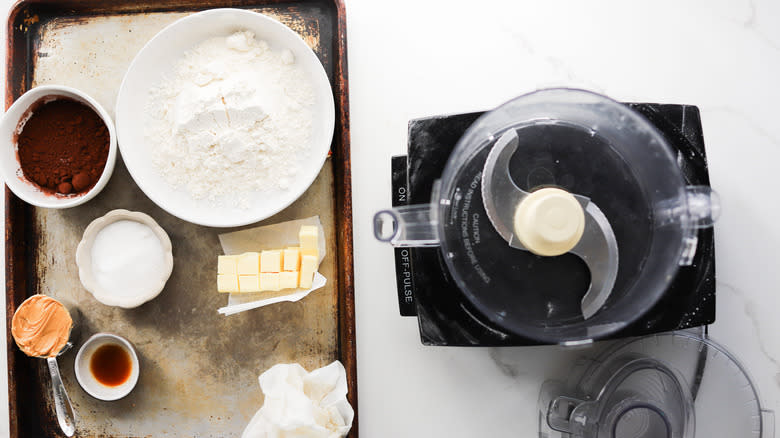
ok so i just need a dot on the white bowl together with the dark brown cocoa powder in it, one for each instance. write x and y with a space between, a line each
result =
58 147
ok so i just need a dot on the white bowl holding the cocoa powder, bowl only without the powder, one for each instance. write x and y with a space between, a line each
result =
9 159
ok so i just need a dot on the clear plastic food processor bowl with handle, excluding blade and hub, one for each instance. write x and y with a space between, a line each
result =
595 148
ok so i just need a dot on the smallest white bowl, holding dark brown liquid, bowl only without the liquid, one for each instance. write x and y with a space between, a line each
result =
88 381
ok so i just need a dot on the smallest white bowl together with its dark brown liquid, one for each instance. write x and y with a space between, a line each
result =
107 367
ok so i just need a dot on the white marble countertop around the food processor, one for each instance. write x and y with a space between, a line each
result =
410 58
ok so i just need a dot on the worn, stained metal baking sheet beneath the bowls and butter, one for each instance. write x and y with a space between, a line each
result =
198 368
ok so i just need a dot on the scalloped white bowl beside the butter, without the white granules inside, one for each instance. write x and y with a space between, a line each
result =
112 297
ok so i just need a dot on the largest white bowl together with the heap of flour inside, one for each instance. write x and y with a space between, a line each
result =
225 117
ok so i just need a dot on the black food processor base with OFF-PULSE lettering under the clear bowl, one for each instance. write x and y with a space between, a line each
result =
426 290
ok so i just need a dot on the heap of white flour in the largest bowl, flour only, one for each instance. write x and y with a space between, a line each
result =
234 118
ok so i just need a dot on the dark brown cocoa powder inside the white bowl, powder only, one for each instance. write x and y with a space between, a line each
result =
63 146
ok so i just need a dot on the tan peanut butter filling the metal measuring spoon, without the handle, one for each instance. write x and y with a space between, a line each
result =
41 326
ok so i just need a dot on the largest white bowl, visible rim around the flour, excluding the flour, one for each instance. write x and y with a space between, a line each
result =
158 58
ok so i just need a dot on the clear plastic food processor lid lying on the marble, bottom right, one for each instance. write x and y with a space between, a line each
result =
673 385
